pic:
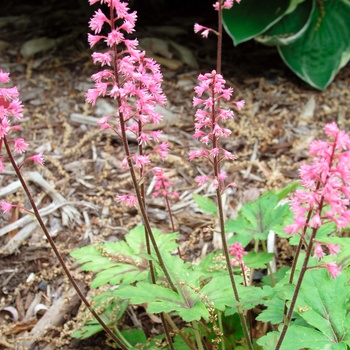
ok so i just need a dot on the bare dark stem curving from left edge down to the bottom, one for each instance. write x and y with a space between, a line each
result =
54 248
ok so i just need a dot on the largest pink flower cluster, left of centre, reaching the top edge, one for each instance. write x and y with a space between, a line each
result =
132 79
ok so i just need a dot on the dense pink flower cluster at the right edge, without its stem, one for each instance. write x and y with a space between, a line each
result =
325 196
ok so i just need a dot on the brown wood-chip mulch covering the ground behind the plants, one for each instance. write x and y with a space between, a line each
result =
270 138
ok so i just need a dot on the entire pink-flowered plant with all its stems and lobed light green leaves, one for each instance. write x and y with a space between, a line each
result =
216 303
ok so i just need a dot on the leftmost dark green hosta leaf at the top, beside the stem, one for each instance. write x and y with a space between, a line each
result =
252 17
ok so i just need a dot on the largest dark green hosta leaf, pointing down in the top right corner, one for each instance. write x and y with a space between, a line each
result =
318 55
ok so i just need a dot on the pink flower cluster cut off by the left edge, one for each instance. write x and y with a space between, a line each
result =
11 107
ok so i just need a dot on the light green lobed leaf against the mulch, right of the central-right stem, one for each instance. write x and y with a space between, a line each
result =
257 218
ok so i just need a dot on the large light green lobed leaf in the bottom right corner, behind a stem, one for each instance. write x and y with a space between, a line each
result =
322 314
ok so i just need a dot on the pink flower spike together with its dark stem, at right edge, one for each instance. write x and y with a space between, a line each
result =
324 199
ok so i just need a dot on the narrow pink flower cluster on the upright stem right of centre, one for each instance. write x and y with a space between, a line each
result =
209 94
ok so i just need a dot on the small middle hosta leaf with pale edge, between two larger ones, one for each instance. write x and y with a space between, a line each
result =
290 27
